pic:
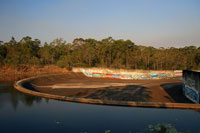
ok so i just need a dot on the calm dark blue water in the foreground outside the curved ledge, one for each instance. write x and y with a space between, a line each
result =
24 113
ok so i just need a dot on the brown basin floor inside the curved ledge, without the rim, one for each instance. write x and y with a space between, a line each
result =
78 85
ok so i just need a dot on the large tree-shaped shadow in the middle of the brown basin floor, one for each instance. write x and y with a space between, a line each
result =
120 93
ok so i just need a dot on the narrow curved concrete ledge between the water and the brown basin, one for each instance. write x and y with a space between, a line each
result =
19 86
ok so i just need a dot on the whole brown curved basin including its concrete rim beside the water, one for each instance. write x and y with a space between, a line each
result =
151 91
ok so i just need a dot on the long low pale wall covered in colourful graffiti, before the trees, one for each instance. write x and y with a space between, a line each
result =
104 73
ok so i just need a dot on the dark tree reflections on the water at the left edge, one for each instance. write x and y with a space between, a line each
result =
15 96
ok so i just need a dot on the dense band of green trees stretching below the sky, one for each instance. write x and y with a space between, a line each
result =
92 53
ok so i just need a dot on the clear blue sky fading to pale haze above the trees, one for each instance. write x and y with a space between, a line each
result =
158 23
